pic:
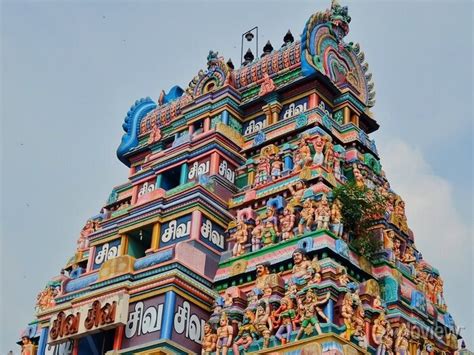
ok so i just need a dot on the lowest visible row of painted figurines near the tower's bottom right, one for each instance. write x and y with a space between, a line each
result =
297 314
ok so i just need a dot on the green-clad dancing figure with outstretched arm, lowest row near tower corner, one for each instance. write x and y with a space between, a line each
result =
309 313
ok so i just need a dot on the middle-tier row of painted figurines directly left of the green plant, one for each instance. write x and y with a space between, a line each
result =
296 219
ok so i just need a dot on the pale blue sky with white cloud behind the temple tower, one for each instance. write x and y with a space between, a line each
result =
71 70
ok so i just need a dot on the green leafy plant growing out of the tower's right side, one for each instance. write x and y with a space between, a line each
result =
360 208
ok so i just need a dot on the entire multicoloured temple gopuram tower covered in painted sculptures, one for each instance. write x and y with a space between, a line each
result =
255 219
